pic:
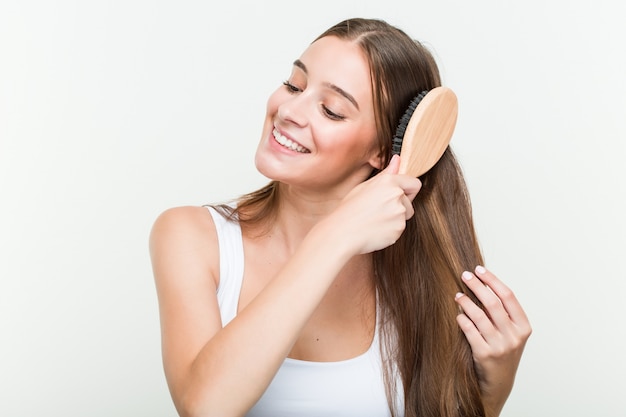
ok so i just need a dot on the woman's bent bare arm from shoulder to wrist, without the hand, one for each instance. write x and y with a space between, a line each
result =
222 372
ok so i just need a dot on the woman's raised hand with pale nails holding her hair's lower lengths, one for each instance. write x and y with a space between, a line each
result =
497 335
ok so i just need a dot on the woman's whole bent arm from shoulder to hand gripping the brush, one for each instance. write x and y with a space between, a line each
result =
215 371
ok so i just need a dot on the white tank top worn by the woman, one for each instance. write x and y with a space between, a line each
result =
348 388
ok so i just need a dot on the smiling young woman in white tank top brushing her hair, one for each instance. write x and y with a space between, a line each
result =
341 288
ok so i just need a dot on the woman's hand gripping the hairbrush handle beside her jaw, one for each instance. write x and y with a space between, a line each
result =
373 215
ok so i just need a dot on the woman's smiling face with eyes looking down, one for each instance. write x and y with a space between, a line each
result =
319 130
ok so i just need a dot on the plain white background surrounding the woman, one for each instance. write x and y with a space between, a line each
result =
112 111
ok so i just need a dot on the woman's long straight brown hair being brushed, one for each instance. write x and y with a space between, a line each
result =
417 277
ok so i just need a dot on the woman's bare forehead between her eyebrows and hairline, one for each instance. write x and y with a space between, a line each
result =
339 62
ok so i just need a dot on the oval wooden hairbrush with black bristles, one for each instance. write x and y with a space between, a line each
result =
425 130
